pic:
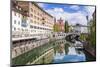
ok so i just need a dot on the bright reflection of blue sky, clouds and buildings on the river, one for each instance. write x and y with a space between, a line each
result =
66 52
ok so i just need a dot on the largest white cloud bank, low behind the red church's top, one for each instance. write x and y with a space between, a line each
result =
72 18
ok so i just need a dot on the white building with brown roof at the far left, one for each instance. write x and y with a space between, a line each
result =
20 22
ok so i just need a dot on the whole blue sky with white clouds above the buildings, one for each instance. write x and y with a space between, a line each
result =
71 13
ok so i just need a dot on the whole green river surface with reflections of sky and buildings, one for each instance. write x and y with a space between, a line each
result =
59 51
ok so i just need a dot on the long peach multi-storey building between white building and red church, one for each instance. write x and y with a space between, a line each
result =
41 22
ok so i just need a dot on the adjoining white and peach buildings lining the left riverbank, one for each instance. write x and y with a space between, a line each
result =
30 21
